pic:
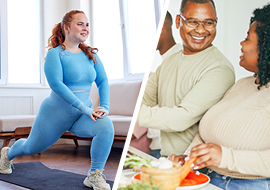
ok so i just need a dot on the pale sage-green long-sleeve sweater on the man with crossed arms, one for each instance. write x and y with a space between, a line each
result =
177 95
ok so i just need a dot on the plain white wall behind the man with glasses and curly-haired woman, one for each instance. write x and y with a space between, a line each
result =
232 27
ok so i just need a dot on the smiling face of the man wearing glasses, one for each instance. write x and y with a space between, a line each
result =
196 39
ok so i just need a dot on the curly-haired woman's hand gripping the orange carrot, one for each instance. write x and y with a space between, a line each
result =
208 154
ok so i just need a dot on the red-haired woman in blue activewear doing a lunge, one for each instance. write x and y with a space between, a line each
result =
70 67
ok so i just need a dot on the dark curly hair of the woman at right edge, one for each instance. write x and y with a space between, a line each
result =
262 16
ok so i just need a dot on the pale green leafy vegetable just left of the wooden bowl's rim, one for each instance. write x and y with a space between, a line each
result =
136 161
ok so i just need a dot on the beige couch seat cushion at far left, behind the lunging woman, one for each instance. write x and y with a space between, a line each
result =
11 122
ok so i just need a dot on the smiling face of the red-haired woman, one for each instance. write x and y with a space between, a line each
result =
78 30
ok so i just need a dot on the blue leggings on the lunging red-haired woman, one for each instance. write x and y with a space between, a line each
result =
56 117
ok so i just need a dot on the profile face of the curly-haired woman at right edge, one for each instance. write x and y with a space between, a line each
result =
250 52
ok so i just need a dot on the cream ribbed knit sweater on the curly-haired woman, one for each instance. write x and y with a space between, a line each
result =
240 123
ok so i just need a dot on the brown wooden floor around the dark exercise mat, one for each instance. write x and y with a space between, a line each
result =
68 158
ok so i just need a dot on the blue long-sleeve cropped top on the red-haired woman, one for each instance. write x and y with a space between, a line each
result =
67 72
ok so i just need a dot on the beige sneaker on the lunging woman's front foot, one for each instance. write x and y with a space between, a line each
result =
96 181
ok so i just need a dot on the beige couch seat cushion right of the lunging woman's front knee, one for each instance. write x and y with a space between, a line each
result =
121 124
